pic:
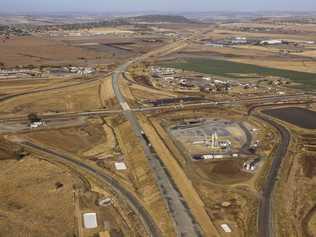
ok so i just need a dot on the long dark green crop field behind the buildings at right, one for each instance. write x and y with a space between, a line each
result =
226 68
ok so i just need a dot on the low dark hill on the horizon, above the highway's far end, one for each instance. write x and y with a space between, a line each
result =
162 18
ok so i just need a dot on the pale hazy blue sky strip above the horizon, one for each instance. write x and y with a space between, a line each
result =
155 5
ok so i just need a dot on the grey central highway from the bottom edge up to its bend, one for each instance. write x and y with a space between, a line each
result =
181 215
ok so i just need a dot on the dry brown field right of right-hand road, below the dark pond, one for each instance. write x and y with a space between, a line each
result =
295 197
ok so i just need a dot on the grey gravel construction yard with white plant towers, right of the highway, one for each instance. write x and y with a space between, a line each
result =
211 138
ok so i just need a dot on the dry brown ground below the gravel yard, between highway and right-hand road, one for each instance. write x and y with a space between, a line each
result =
241 212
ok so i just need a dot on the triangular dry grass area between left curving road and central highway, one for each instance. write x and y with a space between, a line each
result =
100 143
